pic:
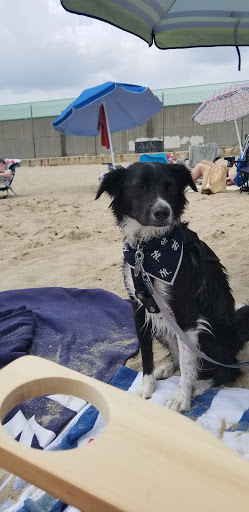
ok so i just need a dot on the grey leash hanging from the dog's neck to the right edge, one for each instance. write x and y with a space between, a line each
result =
139 270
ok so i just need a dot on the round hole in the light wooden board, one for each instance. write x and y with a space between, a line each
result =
54 420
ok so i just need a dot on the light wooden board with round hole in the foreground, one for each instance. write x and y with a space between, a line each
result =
148 458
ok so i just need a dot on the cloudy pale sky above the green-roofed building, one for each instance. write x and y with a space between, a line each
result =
48 53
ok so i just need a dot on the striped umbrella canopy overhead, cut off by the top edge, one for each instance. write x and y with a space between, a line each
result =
173 24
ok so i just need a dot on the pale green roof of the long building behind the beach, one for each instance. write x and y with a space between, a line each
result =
173 96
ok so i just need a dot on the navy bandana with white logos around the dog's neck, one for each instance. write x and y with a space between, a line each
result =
162 256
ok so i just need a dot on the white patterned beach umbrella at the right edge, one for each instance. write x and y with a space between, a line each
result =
227 104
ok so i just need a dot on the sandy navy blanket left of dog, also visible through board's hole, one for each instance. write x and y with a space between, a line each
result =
91 331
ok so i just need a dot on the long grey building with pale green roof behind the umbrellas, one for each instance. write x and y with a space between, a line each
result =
26 131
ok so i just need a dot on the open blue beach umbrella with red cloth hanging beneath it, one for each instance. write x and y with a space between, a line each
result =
109 107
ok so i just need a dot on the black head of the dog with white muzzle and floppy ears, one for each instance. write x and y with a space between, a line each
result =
152 194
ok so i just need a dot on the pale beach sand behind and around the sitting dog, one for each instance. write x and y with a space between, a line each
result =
55 234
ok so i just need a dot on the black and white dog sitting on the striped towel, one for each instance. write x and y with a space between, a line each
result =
148 201
